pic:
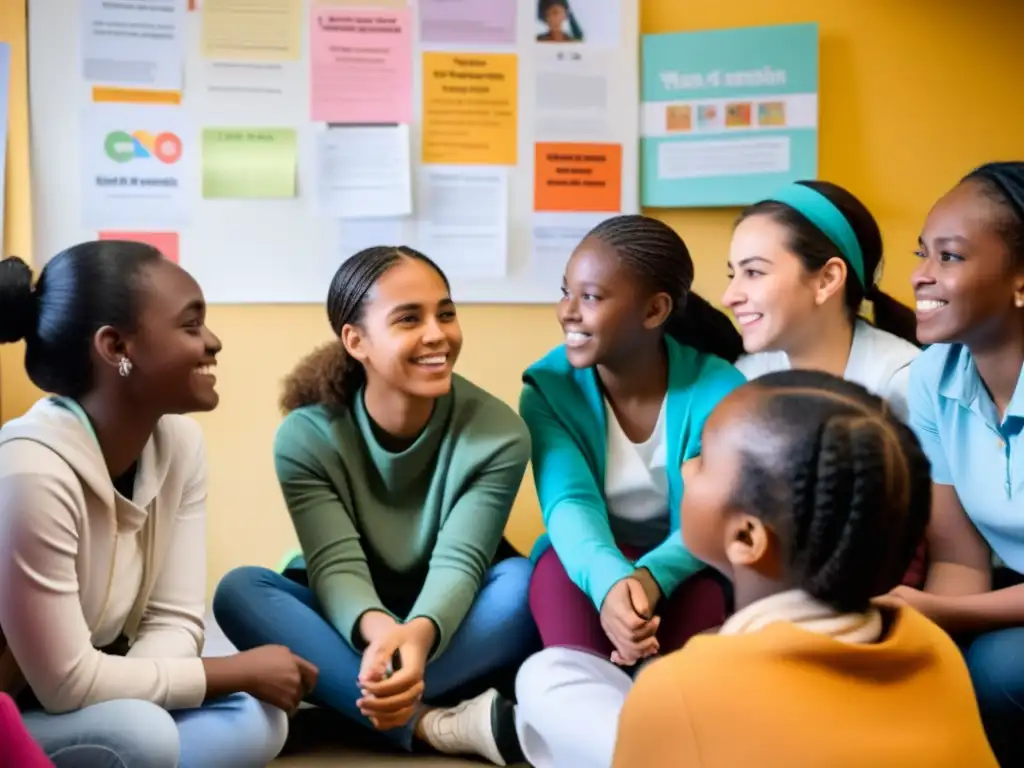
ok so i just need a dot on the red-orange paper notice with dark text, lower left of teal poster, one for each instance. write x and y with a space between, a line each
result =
579 178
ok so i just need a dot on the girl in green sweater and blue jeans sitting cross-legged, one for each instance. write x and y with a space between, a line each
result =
400 478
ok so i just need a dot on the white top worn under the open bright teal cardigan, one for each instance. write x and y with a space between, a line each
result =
636 484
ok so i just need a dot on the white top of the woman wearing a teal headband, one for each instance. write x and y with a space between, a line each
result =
879 362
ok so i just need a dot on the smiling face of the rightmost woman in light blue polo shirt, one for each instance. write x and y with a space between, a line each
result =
967 284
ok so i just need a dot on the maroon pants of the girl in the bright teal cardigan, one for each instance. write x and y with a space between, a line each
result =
567 618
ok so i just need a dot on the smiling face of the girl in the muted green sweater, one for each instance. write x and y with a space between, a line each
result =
409 337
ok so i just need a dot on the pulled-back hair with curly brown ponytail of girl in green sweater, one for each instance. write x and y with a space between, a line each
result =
329 376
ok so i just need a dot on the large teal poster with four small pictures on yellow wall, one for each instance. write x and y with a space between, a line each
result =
728 116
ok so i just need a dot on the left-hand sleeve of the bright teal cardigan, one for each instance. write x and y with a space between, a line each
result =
572 503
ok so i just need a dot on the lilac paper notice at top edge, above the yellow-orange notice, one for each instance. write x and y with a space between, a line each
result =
472 22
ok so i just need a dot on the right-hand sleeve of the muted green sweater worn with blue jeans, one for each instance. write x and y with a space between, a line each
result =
468 540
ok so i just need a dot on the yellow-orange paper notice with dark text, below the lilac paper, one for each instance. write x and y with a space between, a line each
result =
471 109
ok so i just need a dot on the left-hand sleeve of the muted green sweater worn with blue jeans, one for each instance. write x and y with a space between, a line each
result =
339 575
